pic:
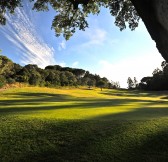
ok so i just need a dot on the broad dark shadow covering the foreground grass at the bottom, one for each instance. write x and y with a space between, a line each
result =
81 140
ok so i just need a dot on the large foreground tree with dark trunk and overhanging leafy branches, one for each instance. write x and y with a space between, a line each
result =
72 14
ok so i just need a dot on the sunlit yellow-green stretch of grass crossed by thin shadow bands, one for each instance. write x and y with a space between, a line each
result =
76 103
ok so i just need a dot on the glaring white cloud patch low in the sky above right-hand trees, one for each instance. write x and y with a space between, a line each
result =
138 67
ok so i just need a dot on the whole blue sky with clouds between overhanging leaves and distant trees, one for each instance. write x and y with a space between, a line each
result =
102 48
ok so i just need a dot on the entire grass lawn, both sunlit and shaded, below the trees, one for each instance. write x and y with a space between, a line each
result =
42 124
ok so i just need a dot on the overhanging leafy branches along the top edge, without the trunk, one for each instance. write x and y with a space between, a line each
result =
71 15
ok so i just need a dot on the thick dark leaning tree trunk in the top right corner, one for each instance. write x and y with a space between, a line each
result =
154 14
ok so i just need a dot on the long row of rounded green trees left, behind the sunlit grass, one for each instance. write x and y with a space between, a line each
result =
51 76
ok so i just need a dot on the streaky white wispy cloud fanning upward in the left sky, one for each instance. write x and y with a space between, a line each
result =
24 35
